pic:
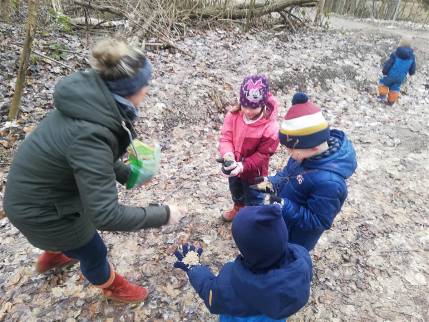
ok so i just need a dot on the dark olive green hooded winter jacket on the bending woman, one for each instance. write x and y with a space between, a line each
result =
62 183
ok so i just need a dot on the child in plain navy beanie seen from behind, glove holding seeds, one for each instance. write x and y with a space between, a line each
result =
268 282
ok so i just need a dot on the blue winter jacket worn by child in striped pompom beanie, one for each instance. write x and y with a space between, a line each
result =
314 192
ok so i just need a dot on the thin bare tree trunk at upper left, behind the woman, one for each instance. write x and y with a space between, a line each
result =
23 61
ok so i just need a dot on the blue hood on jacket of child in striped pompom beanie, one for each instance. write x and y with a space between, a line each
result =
343 162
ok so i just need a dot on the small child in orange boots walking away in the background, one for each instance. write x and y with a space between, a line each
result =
395 70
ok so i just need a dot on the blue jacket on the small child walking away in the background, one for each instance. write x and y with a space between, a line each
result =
400 63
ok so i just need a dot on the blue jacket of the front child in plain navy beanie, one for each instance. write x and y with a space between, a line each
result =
238 292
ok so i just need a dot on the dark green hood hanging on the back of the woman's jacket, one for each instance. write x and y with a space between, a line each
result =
85 96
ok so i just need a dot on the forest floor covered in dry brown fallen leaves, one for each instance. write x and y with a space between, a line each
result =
373 265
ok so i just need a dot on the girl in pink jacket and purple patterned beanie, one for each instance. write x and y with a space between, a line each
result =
249 137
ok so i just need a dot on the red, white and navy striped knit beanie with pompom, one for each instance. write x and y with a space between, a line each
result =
303 126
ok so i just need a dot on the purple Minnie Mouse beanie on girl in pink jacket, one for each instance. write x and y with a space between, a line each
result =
254 91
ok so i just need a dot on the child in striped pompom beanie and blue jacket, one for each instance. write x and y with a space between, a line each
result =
312 187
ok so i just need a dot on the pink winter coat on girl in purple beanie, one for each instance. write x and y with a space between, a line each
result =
252 144
